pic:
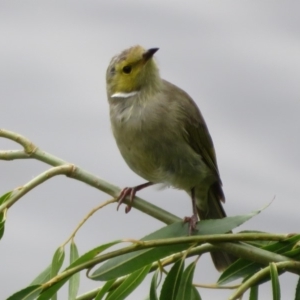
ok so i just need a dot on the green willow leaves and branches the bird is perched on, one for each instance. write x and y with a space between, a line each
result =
262 256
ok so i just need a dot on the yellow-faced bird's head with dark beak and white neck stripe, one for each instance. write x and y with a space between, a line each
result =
132 71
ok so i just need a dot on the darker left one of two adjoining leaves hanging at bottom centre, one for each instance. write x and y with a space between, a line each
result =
172 282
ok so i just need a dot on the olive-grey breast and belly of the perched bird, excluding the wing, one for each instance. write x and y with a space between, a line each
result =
153 146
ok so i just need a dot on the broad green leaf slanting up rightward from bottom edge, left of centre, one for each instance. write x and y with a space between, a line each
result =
129 284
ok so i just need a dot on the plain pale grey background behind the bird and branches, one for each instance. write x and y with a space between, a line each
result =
239 60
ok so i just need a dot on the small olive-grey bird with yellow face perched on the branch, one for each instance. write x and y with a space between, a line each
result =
162 136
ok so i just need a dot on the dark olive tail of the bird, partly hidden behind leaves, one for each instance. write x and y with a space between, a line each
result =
215 210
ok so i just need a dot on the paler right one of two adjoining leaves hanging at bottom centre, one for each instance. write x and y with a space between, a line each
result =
186 288
